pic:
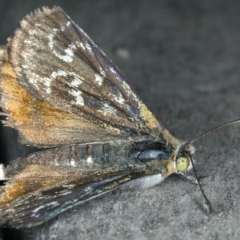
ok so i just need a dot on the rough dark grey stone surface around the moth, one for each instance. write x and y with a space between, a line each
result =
183 59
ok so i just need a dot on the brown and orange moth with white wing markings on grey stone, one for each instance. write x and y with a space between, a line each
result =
62 93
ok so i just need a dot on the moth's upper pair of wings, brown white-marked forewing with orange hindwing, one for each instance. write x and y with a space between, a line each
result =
70 91
